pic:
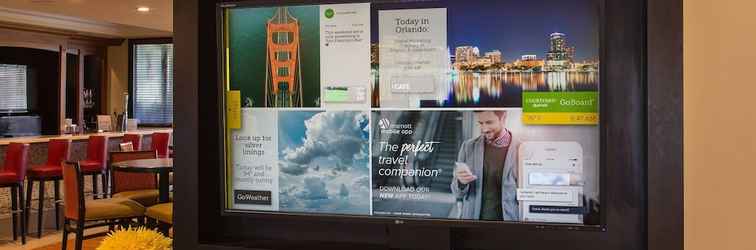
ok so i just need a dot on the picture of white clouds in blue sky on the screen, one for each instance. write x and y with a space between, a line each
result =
323 162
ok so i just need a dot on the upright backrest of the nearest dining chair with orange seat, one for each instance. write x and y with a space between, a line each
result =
73 190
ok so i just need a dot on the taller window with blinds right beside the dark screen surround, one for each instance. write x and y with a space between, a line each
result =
152 83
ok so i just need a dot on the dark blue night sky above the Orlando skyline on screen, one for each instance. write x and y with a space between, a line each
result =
517 28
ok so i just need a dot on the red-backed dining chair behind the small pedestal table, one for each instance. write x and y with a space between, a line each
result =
140 187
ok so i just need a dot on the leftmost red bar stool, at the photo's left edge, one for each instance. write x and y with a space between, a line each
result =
12 176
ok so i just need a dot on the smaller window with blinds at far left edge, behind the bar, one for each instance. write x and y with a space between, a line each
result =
13 88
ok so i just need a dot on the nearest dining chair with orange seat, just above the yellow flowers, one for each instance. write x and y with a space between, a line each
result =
80 213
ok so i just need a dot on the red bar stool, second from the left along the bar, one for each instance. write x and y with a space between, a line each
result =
58 151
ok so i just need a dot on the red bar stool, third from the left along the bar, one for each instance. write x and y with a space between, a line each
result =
96 163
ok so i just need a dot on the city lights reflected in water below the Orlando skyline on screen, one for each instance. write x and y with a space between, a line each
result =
504 89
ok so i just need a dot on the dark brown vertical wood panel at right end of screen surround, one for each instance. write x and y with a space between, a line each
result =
666 206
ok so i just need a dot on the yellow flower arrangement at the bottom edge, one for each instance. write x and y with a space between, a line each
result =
135 239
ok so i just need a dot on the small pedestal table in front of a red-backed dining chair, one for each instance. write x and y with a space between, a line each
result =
160 166
